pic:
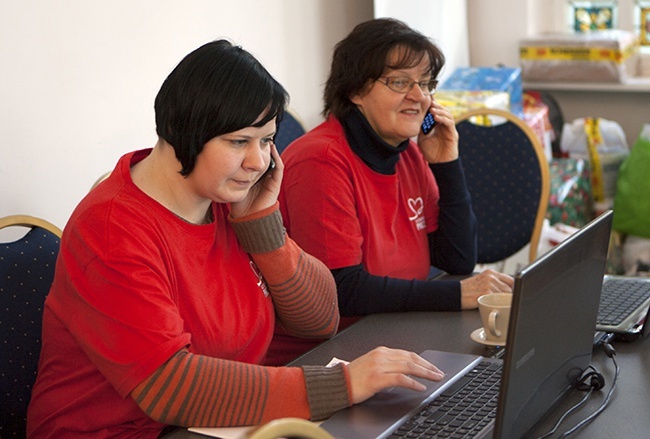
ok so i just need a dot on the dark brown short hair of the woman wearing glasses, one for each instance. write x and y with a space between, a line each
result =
363 55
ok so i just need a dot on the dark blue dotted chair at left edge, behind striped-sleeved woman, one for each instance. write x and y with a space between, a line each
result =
26 273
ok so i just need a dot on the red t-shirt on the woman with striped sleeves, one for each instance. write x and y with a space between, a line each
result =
133 285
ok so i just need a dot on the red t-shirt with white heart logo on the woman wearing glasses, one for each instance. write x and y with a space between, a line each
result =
361 217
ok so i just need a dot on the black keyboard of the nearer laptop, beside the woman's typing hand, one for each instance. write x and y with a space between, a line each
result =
461 411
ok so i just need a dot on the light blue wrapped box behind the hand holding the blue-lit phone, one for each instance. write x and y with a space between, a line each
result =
489 80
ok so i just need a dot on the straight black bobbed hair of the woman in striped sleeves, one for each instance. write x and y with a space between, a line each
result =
217 89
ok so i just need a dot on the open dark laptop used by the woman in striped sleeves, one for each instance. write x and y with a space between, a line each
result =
552 297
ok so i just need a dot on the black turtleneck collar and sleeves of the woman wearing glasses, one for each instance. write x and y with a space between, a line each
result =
452 247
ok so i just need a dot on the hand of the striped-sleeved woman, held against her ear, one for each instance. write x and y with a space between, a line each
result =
264 193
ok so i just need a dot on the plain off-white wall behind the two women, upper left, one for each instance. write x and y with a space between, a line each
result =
79 77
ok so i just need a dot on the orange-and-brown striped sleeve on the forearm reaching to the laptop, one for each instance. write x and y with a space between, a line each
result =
194 390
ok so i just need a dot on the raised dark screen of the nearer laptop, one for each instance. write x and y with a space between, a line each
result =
556 298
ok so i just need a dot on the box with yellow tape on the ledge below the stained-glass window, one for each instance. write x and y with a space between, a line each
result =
597 56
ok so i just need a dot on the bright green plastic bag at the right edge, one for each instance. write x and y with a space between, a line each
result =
632 200
